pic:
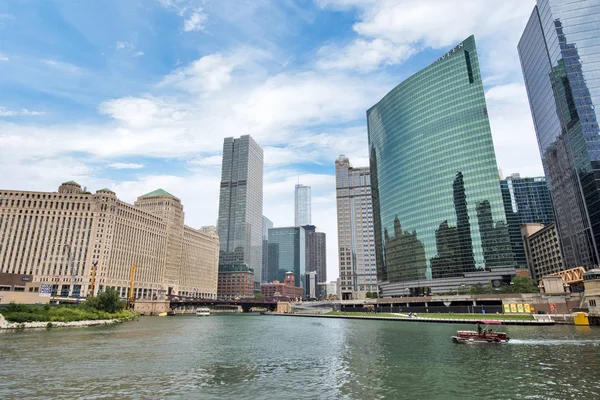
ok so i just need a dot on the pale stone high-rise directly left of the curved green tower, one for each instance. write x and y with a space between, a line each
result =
356 240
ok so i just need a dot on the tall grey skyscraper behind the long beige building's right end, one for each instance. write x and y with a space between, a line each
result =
240 208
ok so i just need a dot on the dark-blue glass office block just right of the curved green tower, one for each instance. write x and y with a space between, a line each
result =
526 201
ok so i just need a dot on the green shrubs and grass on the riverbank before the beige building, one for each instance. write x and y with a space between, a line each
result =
106 308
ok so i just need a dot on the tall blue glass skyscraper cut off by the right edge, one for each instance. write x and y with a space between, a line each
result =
560 59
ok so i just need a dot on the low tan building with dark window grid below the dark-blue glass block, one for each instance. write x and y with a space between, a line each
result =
542 250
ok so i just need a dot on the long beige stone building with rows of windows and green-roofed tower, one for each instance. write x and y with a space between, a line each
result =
56 237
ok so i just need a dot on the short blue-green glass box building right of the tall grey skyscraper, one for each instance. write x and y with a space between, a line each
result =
287 253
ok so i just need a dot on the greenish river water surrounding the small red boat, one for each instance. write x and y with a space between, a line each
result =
277 357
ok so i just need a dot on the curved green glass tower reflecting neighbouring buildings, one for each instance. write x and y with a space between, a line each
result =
438 211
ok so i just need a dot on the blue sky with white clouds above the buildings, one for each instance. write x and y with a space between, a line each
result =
138 95
